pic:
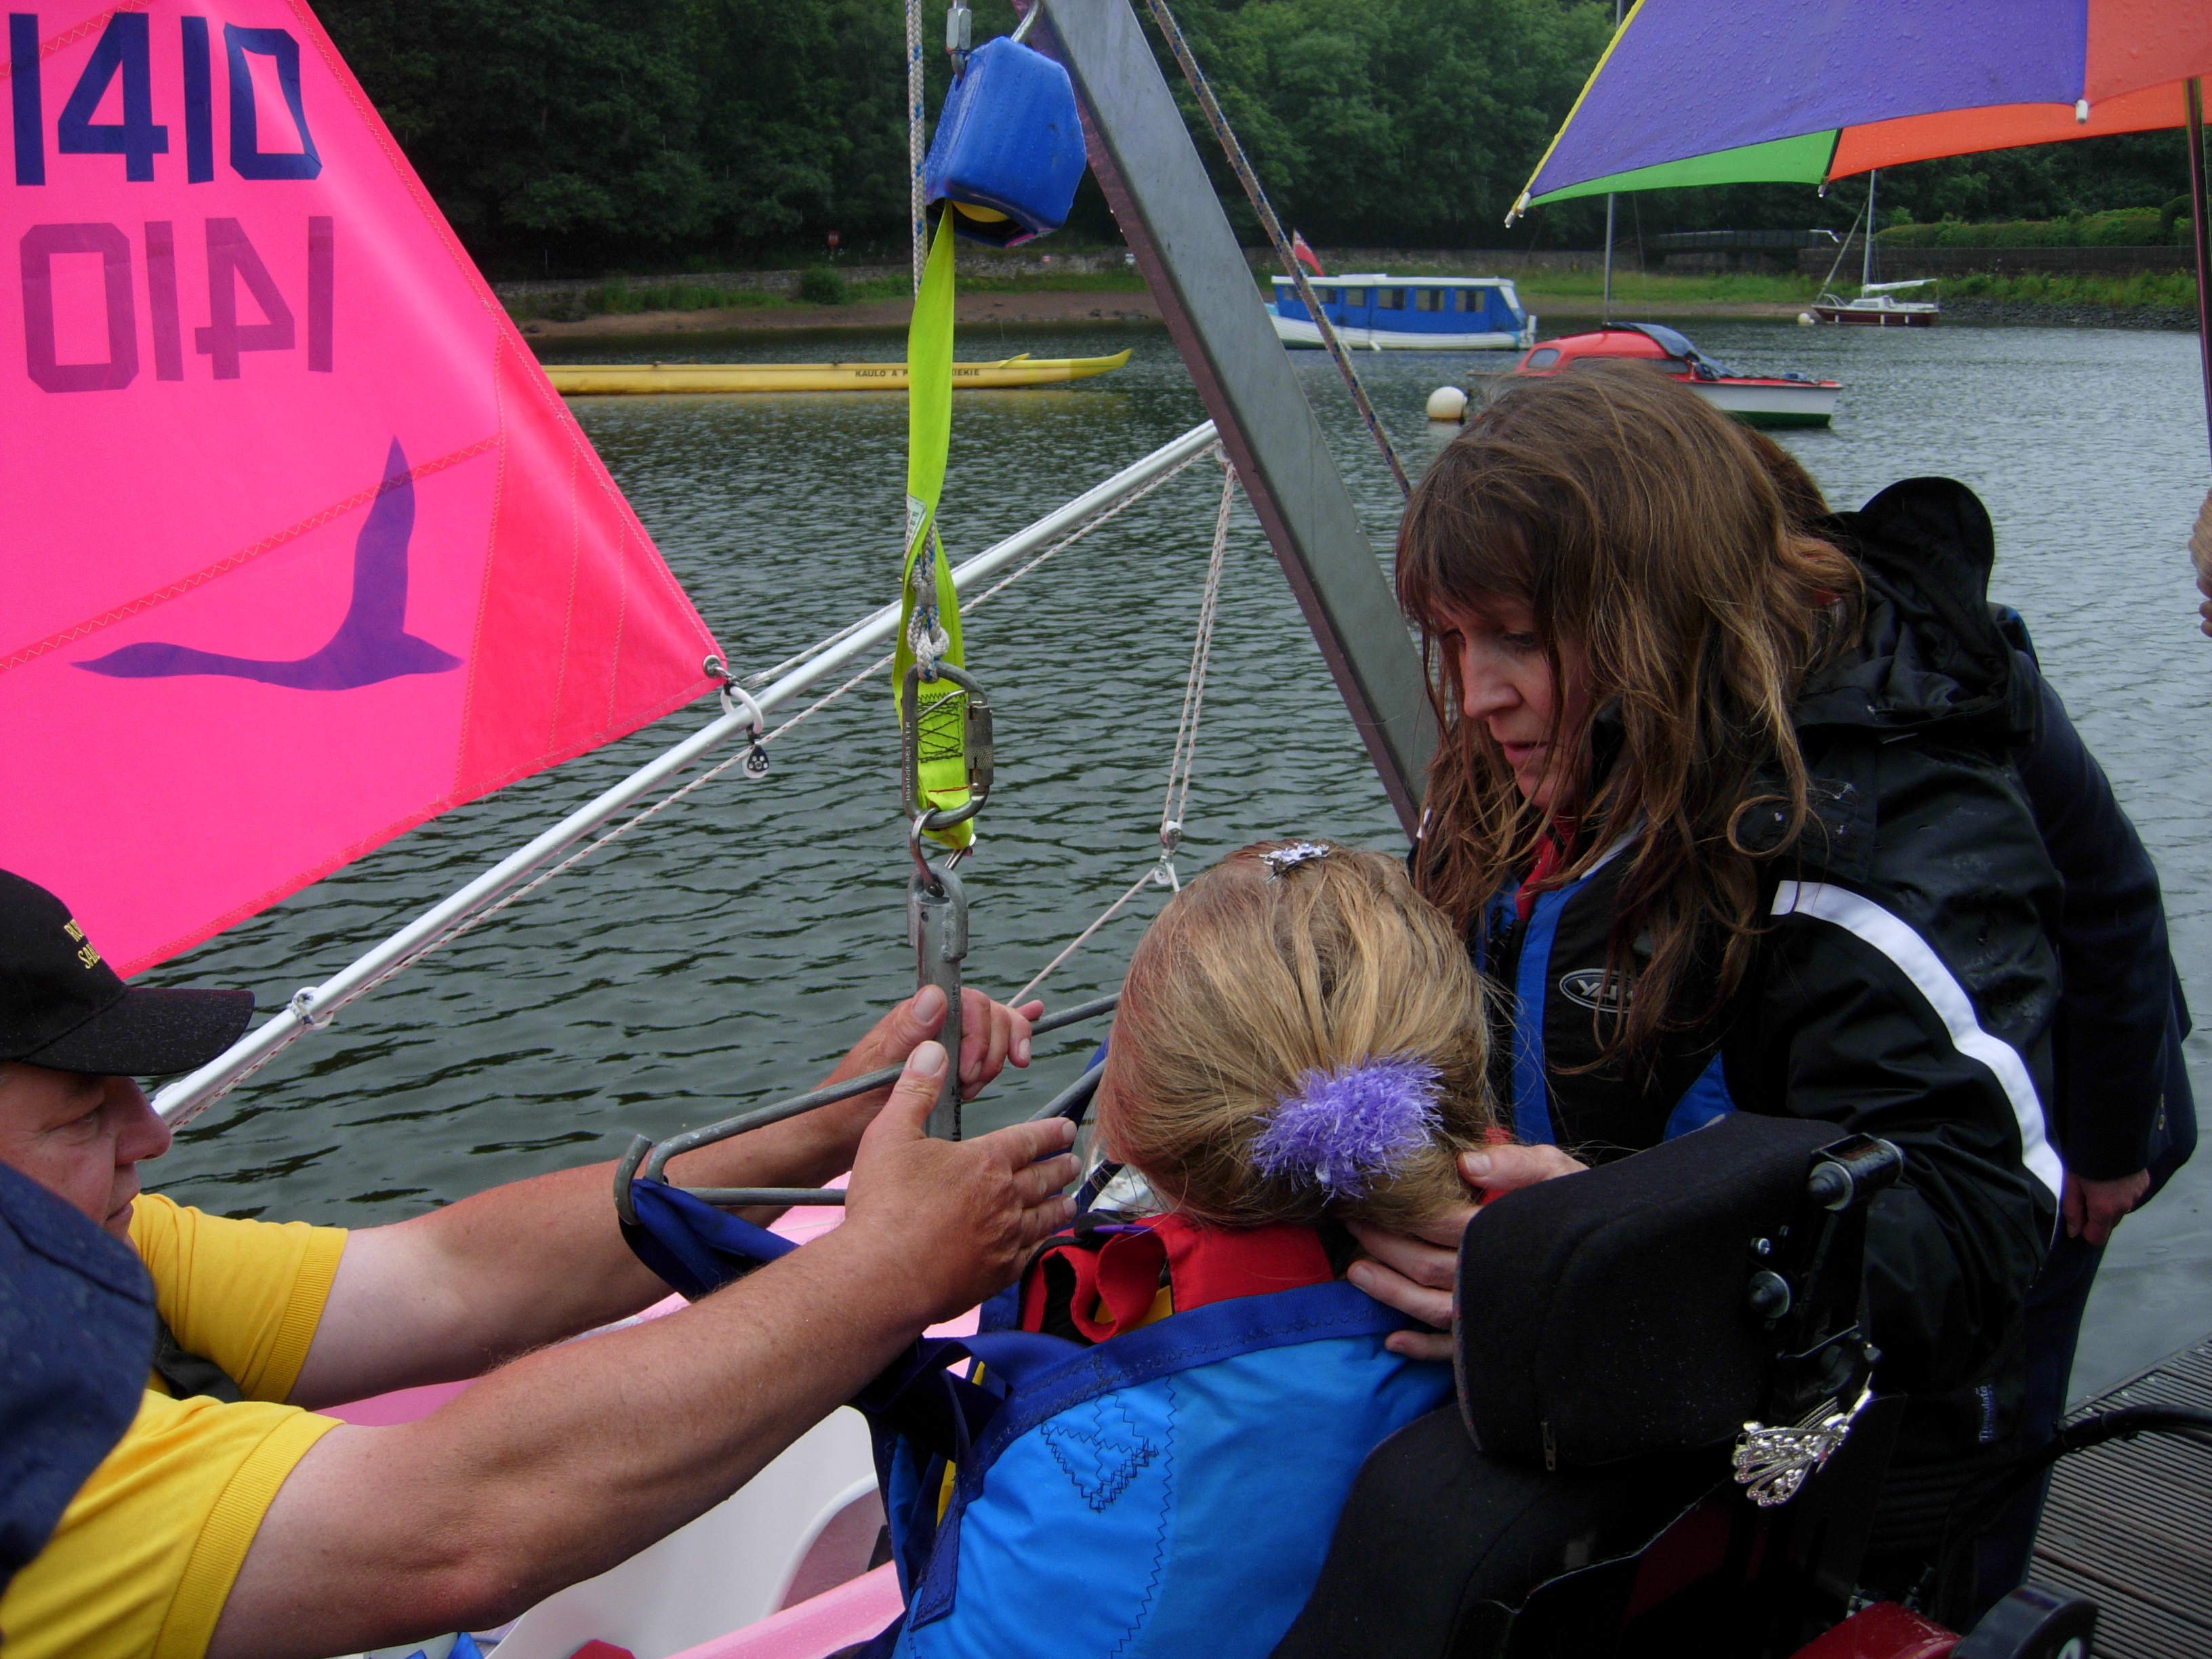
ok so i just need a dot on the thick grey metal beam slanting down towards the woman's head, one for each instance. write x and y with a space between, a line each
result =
1173 222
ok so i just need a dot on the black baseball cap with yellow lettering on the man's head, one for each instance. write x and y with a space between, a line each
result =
65 1008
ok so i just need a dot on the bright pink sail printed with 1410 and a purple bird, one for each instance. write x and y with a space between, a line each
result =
302 545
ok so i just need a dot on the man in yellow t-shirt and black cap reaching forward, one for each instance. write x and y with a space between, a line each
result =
236 1523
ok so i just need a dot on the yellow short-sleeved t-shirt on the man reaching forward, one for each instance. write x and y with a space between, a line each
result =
149 1547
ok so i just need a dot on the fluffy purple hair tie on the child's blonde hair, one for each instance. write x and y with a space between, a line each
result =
1346 1127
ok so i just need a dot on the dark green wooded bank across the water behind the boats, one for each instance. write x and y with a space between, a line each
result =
587 136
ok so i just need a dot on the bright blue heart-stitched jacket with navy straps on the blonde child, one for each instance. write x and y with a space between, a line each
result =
1169 1492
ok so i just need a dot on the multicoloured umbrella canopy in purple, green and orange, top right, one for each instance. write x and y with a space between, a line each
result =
1740 92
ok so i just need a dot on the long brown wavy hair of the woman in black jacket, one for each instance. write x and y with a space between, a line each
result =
1647 534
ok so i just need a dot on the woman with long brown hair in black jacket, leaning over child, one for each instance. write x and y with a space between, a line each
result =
1729 817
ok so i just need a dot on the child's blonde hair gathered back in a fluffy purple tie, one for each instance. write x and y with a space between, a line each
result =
1255 981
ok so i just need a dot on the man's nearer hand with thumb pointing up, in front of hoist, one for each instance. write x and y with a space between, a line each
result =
957 1218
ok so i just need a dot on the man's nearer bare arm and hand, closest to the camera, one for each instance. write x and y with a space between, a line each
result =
574 1459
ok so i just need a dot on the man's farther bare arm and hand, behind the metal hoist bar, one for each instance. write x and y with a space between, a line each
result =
459 1291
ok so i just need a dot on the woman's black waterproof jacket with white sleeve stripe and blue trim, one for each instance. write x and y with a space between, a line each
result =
1906 985
